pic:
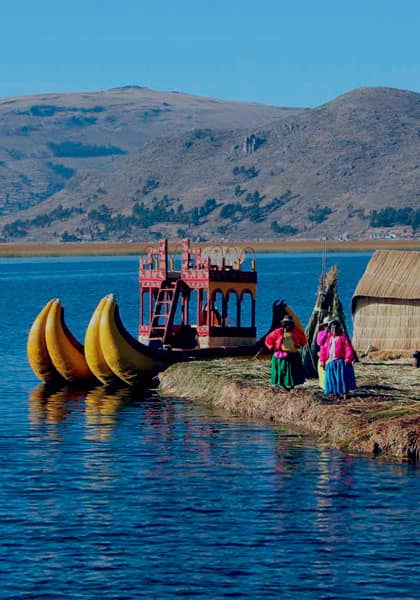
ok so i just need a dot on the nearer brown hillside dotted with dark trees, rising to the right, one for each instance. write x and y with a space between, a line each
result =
308 173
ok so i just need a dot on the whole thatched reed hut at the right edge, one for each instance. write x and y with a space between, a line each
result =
386 303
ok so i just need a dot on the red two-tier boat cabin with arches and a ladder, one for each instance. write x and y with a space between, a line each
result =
196 300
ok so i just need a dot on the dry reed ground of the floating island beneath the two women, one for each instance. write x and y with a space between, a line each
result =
381 416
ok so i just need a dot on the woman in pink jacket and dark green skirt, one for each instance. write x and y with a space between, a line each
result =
286 364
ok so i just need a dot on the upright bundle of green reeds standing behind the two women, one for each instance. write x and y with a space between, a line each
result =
327 305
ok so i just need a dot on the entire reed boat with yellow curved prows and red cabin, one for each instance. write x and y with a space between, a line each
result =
199 309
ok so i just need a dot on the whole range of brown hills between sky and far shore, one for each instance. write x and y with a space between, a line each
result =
136 164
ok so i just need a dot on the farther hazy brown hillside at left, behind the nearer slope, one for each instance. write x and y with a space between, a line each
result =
84 132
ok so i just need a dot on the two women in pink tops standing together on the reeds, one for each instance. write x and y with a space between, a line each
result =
335 362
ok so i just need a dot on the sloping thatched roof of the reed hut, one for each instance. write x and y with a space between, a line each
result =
390 274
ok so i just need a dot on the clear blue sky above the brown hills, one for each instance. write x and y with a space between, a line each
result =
287 53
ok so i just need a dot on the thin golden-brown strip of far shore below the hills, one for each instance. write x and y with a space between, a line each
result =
114 249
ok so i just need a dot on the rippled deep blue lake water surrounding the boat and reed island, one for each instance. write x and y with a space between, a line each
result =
121 496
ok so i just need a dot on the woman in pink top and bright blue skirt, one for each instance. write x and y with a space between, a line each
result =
336 356
